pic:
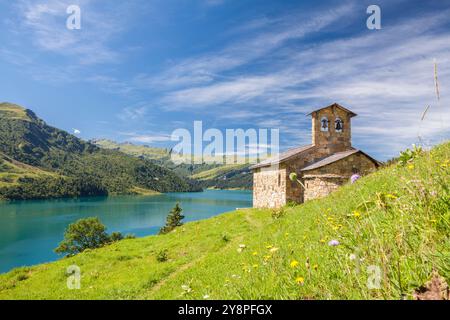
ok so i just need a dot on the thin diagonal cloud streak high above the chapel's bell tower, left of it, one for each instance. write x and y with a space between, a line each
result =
206 68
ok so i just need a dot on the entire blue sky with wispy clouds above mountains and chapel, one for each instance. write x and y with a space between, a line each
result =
138 70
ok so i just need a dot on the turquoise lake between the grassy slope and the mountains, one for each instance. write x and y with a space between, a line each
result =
30 230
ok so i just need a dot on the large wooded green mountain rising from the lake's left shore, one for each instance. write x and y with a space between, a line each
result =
70 166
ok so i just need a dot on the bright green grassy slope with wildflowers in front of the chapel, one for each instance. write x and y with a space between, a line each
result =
393 223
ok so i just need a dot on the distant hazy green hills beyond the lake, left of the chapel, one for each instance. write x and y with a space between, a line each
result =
220 176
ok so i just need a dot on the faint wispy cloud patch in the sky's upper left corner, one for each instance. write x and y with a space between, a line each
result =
45 22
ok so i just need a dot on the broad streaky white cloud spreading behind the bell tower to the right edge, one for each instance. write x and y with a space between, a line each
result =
384 76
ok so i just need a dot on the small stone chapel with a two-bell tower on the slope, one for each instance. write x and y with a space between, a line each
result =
324 165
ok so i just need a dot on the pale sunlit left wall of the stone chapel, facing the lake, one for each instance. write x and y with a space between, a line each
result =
269 187
